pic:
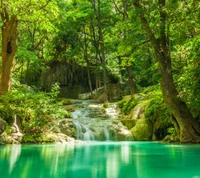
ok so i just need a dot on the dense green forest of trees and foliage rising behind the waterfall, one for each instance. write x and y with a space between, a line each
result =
140 43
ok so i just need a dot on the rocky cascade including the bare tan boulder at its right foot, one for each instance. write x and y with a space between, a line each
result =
94 122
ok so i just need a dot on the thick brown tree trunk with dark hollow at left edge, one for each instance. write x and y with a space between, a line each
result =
9 48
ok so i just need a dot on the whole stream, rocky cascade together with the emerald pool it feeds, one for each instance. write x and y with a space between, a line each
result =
104 156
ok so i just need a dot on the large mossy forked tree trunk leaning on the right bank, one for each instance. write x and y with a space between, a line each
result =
188 127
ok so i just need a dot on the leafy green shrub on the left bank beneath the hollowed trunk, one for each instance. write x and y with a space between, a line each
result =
36 111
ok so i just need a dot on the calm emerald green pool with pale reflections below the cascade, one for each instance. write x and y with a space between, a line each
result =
100 160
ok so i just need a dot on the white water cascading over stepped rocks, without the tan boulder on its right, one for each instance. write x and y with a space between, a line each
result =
92 121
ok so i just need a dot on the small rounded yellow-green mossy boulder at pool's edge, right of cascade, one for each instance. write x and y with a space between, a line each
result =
142 130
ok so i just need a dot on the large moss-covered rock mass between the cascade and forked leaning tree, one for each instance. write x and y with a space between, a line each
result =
150 113
